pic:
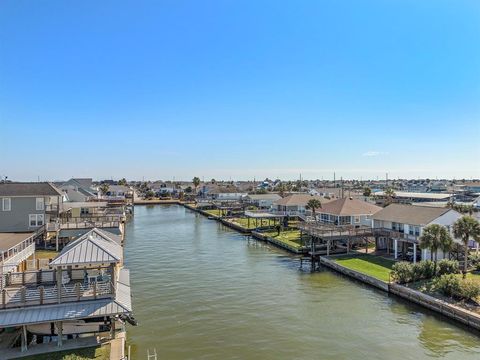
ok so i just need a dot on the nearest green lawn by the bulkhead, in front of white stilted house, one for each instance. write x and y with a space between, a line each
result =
374 266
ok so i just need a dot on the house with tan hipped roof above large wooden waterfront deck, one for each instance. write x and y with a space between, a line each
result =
347 211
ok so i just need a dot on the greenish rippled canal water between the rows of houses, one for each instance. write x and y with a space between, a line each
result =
203 291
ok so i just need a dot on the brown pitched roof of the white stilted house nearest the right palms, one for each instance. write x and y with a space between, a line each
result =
410 214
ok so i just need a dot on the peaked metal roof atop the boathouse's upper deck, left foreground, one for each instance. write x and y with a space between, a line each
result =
94 247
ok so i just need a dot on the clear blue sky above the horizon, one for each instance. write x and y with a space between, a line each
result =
239 89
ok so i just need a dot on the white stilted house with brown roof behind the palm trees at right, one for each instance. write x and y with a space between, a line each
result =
403 224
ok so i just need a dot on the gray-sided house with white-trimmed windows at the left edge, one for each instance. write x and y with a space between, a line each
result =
25 207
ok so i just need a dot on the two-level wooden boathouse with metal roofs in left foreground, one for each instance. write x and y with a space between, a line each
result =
83 293
